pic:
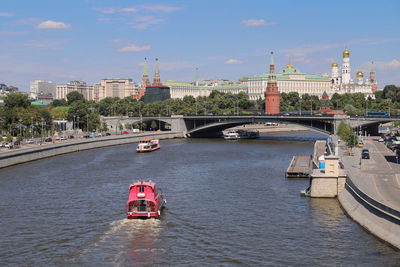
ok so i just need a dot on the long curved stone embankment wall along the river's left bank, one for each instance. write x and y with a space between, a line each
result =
49 150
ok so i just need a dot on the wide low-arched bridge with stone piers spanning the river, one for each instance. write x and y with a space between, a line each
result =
212 125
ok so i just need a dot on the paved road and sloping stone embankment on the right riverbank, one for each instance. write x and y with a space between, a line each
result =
372 191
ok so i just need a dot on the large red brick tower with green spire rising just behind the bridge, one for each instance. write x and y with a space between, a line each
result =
272 93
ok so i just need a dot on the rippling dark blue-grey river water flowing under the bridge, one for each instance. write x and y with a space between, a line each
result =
228 204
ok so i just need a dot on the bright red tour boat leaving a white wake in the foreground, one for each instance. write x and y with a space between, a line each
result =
145 200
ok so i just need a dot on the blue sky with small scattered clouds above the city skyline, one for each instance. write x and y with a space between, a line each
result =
90 40
